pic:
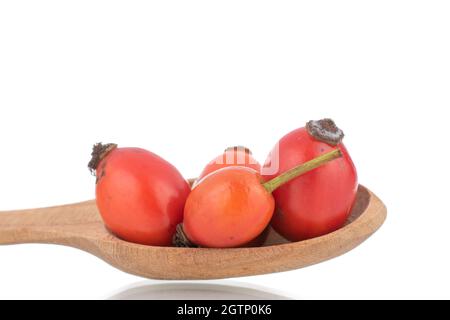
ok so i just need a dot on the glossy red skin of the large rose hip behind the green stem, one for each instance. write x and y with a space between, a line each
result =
318 202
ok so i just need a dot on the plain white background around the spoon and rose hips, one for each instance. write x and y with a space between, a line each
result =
187 78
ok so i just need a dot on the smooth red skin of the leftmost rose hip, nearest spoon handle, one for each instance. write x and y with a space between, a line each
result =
140 196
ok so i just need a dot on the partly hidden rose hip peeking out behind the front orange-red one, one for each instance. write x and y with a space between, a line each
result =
231 157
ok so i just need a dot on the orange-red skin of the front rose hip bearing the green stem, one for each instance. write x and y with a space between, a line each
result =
228 208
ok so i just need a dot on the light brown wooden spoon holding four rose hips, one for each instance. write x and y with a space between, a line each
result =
79 225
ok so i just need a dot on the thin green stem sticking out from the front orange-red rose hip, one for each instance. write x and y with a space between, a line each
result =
283 178
